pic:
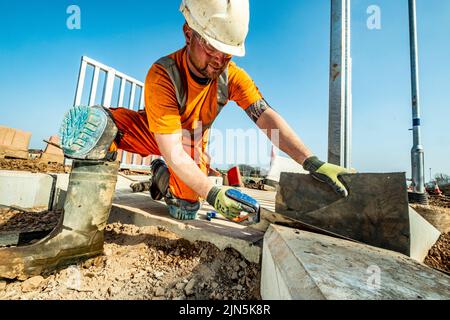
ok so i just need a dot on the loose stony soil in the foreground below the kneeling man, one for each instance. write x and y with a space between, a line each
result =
147 263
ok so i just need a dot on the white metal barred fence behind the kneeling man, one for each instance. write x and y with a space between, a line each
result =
113 86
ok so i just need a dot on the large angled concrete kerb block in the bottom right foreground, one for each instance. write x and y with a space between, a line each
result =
302 265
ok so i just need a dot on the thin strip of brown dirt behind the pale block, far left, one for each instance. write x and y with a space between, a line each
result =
33 166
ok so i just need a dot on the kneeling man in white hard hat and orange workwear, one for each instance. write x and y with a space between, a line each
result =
184 93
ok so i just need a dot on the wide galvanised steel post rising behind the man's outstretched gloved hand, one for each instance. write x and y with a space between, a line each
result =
340 108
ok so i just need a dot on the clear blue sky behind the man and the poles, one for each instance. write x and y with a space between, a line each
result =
287 56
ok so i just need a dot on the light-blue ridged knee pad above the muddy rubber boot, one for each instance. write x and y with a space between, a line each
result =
87 133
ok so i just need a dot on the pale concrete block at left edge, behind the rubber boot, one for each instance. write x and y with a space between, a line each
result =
25 190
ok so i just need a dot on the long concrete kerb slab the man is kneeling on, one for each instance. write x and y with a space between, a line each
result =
141 210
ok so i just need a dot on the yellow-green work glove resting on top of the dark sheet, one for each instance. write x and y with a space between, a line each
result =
327 173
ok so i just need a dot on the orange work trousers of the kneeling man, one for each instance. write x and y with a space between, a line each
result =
137 138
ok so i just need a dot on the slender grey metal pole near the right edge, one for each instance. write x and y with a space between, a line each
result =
417 151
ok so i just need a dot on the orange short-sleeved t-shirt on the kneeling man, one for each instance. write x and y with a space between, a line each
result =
161 103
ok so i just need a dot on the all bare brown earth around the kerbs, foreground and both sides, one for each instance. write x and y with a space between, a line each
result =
153 263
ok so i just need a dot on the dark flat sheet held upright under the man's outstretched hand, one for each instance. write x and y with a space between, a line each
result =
375 211
